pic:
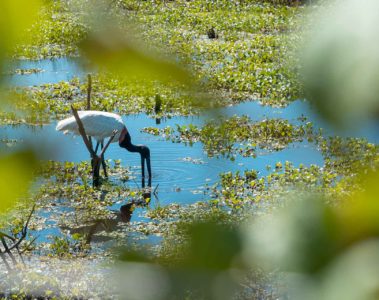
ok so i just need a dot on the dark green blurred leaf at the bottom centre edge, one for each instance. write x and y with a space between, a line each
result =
204 269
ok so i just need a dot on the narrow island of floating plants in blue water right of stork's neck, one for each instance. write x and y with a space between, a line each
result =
221 137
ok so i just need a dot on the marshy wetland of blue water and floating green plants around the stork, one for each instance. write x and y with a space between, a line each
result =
228 148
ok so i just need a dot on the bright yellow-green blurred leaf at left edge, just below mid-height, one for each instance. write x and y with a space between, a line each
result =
16 173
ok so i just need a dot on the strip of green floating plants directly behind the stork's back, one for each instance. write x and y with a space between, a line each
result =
49 102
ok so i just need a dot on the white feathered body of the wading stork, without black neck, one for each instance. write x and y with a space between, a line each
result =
97 124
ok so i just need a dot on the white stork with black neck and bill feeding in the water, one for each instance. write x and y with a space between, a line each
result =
100 125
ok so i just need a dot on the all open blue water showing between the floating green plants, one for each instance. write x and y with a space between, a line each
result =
180 181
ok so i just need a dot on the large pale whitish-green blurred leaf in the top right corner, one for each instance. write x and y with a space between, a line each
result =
341 61
